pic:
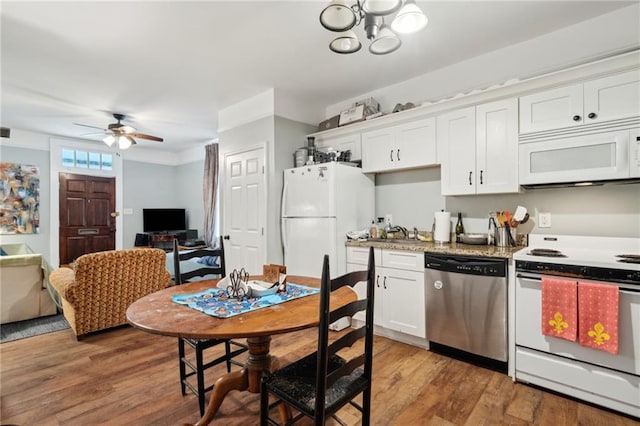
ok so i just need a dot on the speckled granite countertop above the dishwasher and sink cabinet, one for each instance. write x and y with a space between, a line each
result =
442 248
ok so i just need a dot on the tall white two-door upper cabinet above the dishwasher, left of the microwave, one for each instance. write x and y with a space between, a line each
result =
479 149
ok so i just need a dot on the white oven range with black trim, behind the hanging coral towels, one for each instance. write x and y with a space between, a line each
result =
612 381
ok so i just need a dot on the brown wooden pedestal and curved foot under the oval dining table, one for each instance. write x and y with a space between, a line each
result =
258 363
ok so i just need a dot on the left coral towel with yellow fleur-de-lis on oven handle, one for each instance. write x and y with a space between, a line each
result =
559 308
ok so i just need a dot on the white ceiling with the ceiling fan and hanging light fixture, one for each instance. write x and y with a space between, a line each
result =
170 66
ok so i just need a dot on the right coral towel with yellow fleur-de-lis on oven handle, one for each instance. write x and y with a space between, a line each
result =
598 310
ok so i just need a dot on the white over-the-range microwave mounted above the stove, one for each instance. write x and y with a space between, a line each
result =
580 158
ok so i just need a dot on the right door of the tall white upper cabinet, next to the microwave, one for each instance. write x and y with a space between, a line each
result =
497 147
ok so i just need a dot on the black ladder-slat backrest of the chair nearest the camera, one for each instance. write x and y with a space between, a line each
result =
326 350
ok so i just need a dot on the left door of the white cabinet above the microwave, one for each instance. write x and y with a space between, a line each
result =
551 109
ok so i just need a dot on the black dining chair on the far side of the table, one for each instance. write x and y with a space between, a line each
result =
213 264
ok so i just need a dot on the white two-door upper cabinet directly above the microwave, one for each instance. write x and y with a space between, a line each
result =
608 98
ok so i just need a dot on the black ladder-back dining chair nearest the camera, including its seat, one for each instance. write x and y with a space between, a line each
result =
323 382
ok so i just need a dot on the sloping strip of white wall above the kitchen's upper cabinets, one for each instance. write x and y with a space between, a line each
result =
589 40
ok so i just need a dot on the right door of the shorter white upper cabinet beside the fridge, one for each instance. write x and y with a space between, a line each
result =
416 144
